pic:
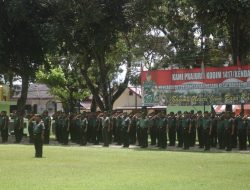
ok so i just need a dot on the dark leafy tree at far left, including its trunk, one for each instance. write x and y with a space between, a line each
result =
24 41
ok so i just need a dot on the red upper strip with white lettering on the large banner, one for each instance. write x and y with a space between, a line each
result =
211 75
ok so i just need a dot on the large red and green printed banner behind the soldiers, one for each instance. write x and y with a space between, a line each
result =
224 85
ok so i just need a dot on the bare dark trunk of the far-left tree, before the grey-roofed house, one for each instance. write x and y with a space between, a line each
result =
21 102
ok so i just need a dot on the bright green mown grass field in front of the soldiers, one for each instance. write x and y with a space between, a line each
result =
121 169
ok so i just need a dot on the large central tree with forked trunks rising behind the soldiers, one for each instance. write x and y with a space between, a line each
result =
95 31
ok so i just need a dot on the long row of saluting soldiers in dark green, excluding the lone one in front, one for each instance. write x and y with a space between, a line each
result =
224 130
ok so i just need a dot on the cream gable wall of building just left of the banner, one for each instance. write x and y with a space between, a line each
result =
127 100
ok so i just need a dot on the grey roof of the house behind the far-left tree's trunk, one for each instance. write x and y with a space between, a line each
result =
35 91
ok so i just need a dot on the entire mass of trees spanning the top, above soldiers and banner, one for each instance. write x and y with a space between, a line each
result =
94 38
